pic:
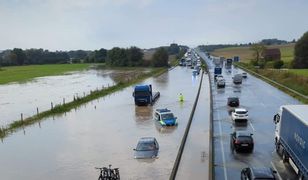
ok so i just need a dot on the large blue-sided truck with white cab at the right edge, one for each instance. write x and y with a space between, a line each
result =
291 134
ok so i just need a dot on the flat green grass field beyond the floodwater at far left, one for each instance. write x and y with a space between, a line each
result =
25 73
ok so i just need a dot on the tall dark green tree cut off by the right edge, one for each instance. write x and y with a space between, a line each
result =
301 52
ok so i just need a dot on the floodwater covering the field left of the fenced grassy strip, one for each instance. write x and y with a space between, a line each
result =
17 98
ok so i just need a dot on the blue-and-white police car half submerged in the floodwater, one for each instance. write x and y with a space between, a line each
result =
165 117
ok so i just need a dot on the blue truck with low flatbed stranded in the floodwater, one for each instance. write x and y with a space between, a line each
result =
144 95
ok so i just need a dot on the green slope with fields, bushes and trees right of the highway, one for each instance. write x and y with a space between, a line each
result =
290 70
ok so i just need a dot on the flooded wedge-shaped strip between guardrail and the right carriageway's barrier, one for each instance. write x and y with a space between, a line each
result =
195 159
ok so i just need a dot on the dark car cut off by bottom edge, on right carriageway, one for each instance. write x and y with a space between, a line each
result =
258 173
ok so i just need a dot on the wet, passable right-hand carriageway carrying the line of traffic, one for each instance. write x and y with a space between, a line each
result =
262 102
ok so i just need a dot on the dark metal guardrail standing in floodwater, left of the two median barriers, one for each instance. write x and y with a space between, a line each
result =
182 145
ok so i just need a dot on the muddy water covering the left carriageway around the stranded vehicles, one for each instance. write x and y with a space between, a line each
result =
102 132
